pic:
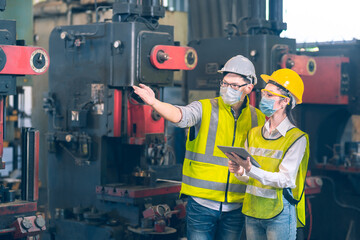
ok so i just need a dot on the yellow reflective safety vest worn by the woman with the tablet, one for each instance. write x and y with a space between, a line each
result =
266 202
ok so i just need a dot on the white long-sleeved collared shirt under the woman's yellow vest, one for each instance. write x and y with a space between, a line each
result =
289 166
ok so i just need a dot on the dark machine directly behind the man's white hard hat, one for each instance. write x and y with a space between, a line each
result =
254 37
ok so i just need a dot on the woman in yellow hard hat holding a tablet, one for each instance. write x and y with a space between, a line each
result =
274 203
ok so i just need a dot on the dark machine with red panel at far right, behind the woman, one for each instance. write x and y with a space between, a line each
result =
331 116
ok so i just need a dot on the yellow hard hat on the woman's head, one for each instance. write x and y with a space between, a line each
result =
290 80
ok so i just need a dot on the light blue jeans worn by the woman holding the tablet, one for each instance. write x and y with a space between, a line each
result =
280 227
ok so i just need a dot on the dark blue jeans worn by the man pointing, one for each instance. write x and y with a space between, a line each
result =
207 224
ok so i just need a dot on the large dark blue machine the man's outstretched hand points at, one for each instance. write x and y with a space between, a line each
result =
109 163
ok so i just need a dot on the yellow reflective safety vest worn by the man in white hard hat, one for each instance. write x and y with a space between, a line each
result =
205 169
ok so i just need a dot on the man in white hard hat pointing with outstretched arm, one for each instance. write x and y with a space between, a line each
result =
215 195
